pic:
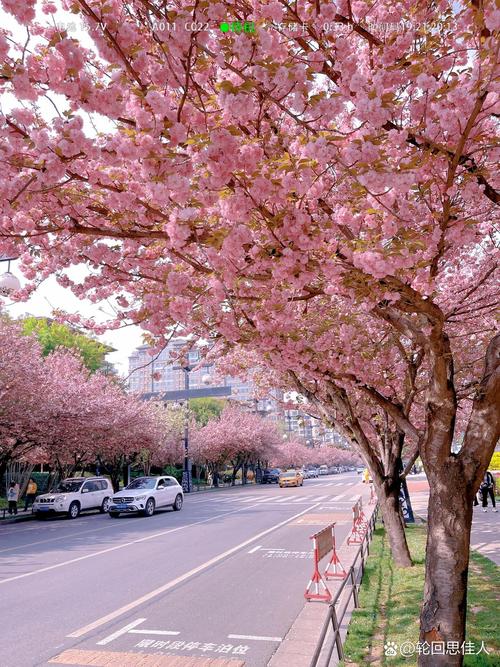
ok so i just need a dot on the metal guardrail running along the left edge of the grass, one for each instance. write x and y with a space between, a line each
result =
334 618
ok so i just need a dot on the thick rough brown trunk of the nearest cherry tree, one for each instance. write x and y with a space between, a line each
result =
443 612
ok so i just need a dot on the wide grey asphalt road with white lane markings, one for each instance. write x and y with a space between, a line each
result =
224 578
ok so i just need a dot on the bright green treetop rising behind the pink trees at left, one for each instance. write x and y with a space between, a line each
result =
52 335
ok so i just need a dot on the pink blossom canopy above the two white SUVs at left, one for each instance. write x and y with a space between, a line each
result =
55 410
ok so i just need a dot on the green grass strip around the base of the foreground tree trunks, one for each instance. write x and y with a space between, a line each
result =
390 601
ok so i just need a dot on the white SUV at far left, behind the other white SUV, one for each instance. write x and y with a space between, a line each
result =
73 495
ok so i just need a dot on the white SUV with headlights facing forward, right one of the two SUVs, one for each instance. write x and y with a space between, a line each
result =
145 494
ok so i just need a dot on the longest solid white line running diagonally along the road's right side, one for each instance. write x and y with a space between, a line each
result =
187 575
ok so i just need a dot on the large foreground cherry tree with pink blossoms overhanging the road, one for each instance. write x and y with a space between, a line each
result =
326 196
